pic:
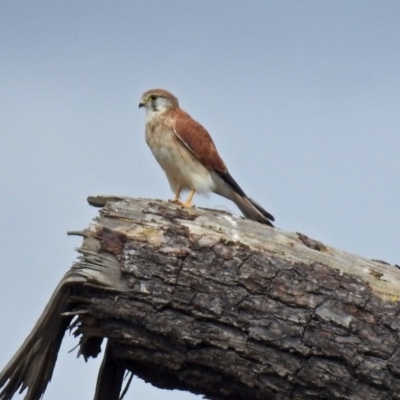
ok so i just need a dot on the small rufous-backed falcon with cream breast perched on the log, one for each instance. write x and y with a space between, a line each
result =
187 154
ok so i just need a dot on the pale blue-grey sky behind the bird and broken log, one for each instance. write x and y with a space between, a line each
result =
301 97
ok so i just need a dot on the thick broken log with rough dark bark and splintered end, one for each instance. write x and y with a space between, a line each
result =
205 301
